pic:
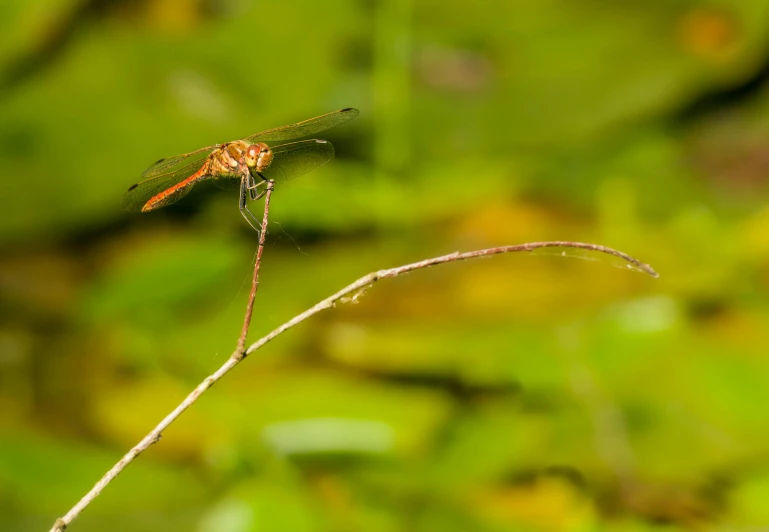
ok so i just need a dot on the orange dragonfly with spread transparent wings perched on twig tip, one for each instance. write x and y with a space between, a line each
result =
170 179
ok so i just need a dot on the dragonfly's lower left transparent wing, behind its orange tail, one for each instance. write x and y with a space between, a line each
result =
137 196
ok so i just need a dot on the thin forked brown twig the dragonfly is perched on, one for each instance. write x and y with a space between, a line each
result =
349 293
